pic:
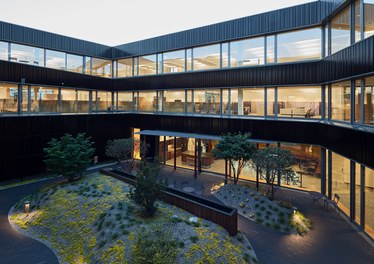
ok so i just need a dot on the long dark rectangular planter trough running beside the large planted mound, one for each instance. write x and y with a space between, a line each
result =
192 204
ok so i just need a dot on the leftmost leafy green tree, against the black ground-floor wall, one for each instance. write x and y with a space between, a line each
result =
69 156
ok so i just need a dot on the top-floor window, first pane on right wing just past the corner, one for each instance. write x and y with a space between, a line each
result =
340 31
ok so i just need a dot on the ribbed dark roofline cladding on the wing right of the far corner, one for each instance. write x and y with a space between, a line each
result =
279 20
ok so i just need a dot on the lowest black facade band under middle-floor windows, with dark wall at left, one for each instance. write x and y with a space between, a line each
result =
24 137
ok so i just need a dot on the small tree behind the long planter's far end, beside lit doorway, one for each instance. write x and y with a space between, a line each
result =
122 150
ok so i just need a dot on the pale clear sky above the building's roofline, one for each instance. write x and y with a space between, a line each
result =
115 22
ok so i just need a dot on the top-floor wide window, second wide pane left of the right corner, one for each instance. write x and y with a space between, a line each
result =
247 52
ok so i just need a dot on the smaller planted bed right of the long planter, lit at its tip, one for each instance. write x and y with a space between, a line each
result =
278 215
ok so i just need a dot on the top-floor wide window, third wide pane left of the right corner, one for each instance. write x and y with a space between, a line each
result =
206 58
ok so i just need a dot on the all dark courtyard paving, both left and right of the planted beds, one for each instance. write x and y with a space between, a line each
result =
332 239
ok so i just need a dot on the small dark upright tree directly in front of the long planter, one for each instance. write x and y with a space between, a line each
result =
147 188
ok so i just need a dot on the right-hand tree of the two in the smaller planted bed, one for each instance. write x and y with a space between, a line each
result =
273 162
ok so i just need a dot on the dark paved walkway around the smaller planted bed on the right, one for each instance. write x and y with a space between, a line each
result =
332 239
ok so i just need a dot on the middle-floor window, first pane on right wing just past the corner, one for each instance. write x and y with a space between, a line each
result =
341 101
